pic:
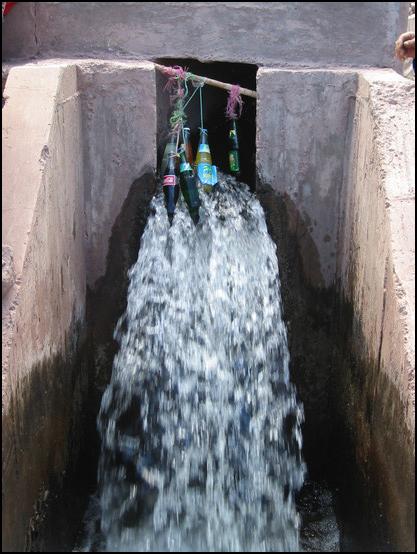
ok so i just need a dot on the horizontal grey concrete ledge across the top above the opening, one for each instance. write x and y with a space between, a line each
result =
333 33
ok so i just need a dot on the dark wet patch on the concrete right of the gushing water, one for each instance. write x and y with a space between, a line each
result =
354 434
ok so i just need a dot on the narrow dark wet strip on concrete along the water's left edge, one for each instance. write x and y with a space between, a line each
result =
108 301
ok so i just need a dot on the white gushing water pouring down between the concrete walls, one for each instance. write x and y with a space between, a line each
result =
200 426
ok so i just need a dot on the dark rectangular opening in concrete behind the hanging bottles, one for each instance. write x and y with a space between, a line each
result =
214 103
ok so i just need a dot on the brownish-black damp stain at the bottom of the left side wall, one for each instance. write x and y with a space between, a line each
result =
41 421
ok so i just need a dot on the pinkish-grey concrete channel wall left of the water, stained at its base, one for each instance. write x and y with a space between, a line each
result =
74 140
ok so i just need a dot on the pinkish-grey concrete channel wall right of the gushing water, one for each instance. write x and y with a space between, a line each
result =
338 158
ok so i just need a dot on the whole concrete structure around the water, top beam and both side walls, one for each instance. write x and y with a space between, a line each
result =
335 165
